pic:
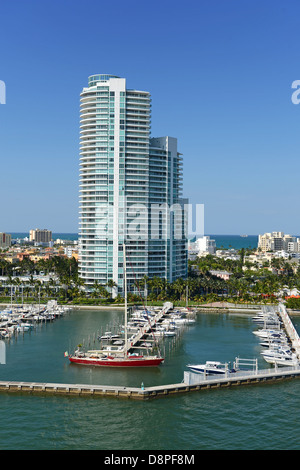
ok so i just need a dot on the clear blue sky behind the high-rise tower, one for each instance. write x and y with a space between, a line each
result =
220 75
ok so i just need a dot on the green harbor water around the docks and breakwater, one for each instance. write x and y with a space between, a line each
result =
243 418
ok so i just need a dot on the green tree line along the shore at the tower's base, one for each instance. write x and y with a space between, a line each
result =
247 283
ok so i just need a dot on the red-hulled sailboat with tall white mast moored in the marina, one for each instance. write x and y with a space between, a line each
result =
120 357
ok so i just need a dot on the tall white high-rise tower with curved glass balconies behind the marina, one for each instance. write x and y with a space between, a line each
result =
123 175
